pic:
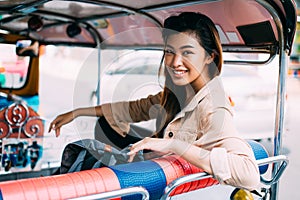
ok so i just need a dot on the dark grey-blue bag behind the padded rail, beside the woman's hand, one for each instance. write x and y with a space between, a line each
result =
89 153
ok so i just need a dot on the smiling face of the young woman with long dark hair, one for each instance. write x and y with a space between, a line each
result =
185 59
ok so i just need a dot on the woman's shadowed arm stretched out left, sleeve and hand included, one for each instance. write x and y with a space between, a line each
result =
118 114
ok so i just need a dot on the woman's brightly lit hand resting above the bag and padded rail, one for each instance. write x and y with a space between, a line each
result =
155 144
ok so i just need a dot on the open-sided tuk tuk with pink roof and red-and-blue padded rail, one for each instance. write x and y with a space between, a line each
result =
253 27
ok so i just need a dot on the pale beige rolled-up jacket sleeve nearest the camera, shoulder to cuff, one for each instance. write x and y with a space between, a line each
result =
231 158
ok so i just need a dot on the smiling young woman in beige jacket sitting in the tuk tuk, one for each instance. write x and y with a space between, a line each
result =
194 116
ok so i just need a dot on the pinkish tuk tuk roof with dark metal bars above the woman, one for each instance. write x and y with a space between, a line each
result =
113 23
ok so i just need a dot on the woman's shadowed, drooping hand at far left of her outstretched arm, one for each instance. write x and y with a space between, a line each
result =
61 120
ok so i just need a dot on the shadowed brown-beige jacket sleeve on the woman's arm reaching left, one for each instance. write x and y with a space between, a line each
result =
120 114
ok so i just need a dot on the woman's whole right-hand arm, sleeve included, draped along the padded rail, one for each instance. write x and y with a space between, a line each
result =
219 151
